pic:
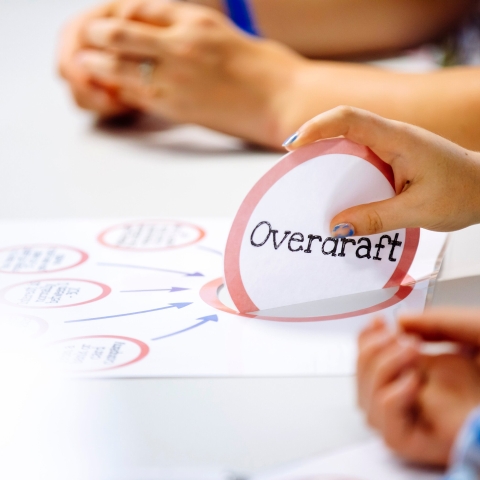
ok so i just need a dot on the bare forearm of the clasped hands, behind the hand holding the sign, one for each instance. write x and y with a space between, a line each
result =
446 102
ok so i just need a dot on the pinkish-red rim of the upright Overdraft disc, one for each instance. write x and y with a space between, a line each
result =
290 161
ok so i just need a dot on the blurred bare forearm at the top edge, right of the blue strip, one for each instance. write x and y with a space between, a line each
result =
341 28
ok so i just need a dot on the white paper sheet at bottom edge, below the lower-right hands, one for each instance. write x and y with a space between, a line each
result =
366 461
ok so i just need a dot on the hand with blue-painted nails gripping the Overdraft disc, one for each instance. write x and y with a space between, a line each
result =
436 181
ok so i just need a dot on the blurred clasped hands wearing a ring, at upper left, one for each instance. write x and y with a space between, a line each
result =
183 62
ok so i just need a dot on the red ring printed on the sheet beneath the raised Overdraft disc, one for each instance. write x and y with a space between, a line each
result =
209 294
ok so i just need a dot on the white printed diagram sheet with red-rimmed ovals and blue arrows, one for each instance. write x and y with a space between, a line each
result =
116 298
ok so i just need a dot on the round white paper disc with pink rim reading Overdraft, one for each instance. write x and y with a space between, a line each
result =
279 251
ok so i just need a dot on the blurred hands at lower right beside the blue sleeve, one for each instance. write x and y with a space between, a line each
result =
419 402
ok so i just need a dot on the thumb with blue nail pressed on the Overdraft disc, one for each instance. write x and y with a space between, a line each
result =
372 218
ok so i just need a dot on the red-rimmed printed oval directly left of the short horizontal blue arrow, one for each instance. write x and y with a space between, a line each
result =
54 293
